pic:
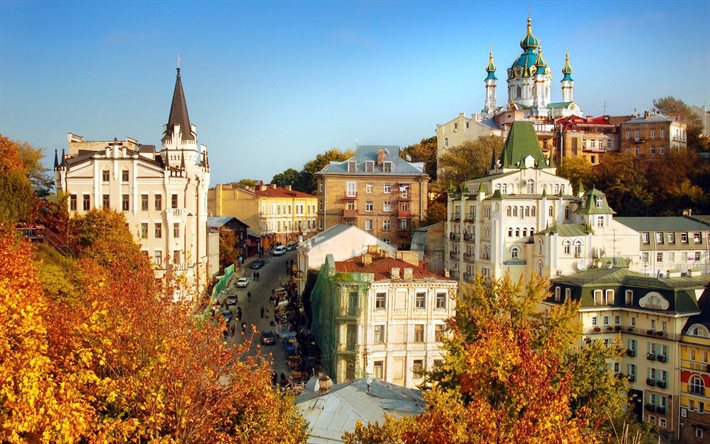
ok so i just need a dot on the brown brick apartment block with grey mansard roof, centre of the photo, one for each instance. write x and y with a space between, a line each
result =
377 191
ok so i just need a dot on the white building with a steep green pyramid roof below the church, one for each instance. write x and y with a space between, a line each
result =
522 218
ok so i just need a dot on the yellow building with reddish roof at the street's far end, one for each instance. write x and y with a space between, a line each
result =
276 214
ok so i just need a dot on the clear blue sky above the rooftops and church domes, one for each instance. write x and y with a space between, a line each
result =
271 84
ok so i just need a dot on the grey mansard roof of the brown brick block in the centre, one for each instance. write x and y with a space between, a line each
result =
370 153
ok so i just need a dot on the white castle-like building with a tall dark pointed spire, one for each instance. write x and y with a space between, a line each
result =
163 194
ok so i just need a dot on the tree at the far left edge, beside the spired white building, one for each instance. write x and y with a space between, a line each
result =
17 199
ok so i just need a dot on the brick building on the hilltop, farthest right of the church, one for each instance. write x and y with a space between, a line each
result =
652 134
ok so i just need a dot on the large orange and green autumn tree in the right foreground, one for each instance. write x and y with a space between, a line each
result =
512 374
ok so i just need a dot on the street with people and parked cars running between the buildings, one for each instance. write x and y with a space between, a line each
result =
272 275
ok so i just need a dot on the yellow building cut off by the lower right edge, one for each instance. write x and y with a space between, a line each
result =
695 377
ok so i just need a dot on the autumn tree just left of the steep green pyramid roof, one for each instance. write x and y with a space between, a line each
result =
469 160
